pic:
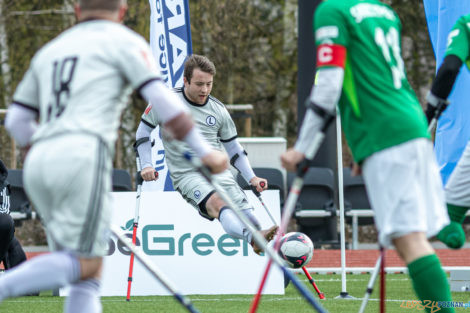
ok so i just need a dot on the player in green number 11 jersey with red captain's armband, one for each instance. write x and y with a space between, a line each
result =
360 65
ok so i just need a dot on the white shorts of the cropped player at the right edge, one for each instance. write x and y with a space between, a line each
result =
458 186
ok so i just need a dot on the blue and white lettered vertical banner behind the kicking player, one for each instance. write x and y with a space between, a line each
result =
170 40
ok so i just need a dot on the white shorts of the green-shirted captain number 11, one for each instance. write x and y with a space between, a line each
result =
405 190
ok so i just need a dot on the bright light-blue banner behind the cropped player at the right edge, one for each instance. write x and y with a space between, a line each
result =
453 128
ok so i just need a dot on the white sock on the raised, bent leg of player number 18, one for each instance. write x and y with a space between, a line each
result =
44 272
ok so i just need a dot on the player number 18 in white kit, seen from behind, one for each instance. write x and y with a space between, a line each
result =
77 87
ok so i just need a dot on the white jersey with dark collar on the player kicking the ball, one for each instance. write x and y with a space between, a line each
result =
214 123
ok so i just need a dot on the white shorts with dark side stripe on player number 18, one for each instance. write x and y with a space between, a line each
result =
68 179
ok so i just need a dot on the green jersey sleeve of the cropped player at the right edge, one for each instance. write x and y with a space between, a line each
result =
458 40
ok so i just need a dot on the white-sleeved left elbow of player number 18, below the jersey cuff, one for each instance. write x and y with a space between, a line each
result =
21 123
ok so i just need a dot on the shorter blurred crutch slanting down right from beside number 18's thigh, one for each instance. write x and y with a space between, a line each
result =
153 269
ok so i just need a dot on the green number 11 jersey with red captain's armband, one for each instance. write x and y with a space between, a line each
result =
377 105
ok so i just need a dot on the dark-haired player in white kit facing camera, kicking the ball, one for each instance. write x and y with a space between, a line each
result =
218 128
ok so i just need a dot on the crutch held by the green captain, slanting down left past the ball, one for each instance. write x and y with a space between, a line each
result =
293 196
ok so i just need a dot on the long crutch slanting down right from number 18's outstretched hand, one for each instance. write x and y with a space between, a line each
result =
260 241
